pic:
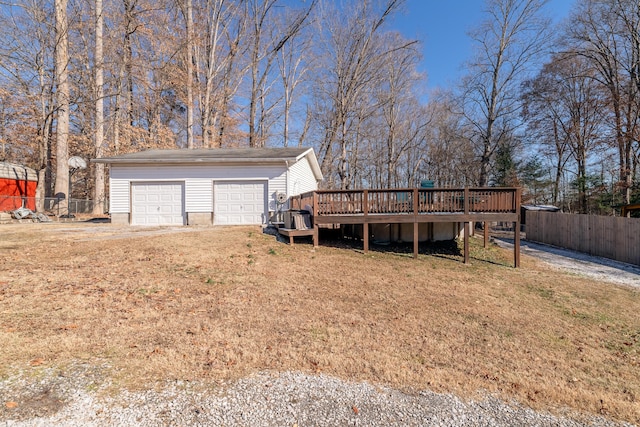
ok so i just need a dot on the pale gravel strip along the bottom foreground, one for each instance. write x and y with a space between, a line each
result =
272 399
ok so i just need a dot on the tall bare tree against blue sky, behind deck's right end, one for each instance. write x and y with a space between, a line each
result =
514 35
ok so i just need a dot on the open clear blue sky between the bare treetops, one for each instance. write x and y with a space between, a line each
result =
442 25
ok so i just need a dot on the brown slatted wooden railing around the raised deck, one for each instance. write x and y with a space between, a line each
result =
408 201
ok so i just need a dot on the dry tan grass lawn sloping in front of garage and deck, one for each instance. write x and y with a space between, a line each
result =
221 303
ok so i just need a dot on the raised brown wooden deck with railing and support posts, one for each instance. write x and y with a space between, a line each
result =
415 206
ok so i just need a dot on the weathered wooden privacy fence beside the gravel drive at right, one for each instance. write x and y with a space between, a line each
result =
609 237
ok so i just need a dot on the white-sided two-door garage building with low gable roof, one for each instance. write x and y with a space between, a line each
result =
206 186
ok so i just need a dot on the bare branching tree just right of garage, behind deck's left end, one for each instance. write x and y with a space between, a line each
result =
353 53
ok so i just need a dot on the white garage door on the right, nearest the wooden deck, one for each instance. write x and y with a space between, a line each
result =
239 202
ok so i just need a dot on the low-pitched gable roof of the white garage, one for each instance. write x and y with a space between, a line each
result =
218 156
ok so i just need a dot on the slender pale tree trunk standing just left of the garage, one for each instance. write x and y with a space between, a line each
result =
99 190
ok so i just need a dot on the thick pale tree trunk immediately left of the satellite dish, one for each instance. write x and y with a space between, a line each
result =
62 95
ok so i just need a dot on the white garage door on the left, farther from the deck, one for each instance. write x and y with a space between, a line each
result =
157 203
